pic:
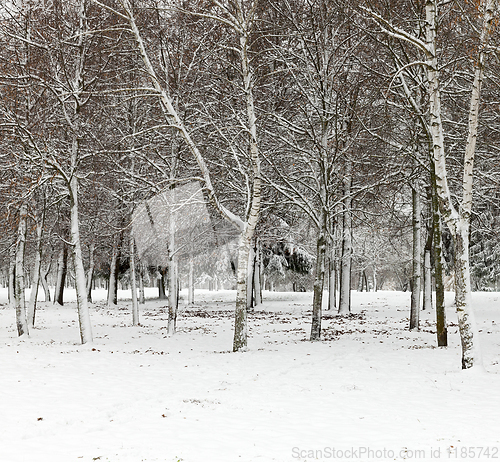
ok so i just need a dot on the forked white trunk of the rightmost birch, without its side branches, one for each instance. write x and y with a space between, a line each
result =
458 223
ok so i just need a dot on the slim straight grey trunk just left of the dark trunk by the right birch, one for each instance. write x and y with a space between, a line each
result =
417 270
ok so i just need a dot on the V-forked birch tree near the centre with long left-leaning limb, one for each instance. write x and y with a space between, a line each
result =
239 17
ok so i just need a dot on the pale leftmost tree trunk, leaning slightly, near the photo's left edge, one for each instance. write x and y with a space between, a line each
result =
19 292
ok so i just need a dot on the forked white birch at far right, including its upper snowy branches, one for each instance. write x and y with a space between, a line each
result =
457 220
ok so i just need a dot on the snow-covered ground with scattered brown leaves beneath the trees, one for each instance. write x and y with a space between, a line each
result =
370 390
